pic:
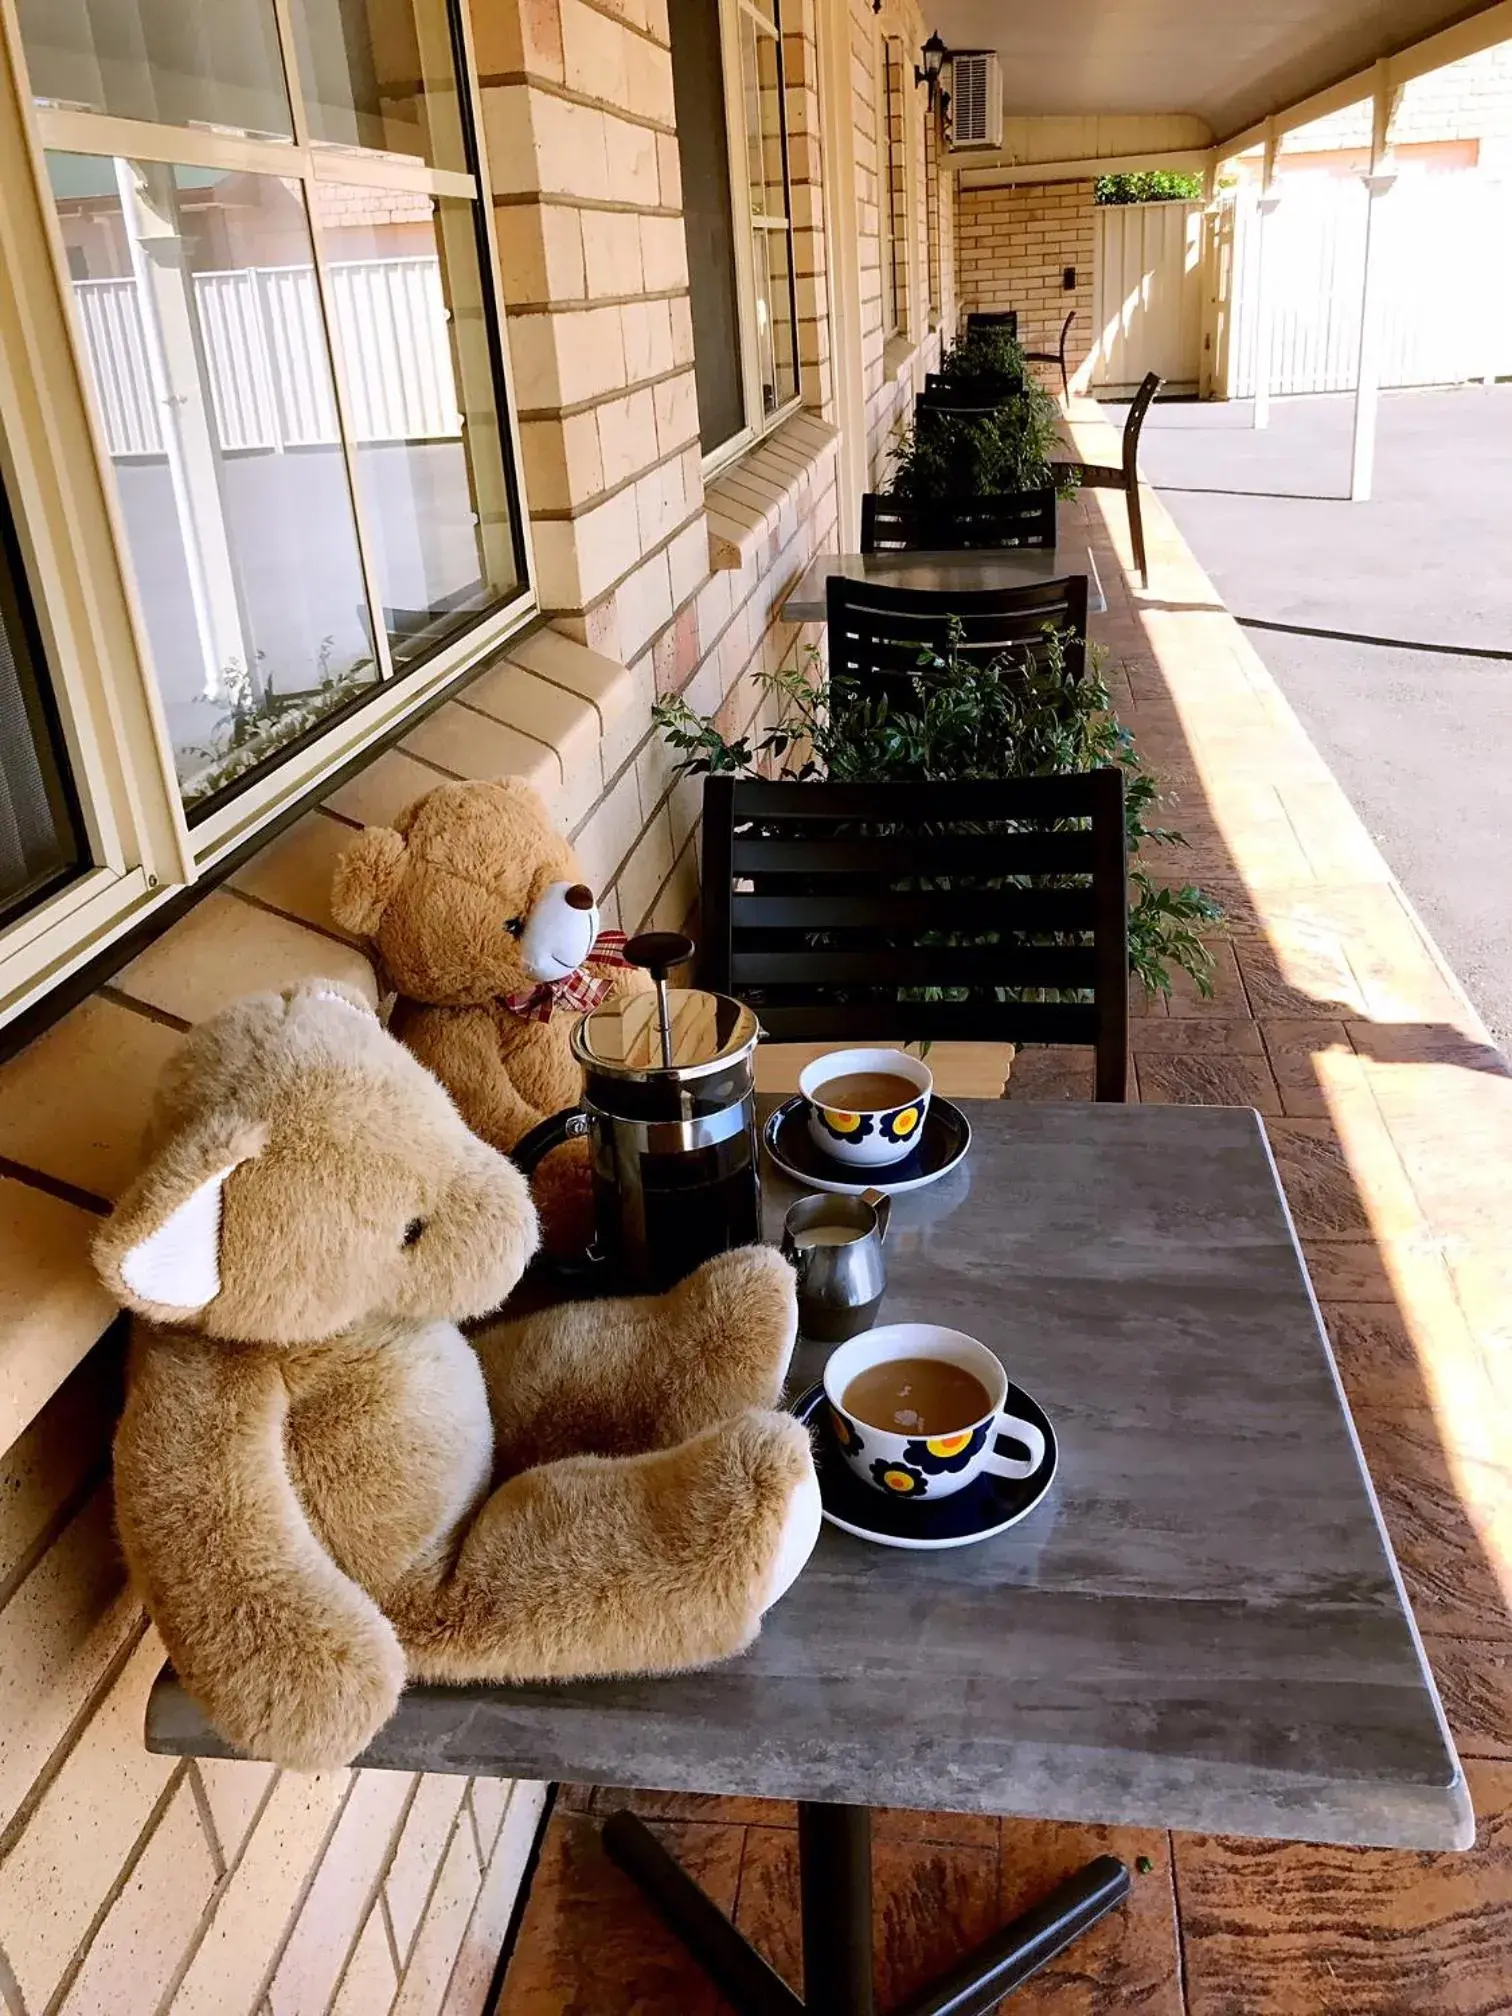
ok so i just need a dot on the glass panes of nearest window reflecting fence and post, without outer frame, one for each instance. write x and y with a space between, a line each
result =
287 346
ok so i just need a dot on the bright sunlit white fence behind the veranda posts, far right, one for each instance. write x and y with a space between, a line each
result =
1446 253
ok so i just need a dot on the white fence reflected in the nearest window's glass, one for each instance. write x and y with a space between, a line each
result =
265 356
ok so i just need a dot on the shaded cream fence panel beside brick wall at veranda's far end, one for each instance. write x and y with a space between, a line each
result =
1146 295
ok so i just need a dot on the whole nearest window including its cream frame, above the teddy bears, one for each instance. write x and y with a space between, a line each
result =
263 257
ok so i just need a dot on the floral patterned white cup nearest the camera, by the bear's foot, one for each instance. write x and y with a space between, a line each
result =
928 1467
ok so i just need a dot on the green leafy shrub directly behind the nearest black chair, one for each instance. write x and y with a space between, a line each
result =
1021 717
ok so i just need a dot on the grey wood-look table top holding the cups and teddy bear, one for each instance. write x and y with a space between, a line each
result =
1203 1624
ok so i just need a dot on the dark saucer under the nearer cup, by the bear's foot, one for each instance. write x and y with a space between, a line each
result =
987 1507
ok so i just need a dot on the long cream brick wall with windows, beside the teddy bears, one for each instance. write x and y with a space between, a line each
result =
136 1884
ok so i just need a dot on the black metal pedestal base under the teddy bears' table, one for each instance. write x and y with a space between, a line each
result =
836 1880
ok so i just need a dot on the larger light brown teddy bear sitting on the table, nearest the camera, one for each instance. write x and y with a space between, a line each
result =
324 1489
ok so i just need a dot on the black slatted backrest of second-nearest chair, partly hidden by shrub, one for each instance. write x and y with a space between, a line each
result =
878 632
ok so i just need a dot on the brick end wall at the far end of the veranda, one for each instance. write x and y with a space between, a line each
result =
1013 251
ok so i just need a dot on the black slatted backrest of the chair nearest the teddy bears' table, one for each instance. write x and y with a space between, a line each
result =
834 908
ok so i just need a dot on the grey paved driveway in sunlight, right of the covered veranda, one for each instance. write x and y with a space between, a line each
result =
1418 739
